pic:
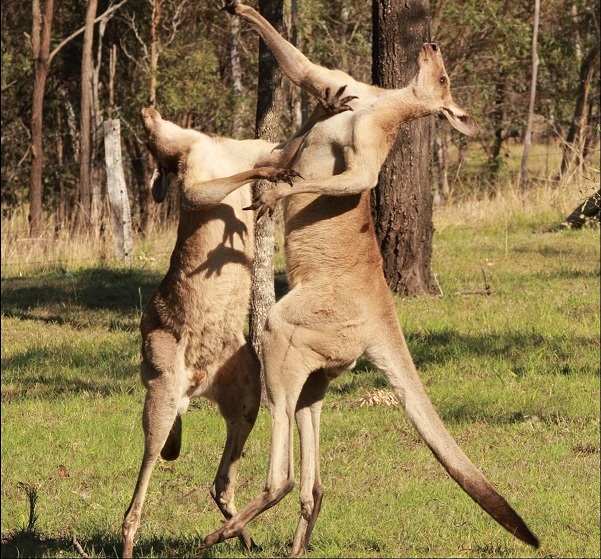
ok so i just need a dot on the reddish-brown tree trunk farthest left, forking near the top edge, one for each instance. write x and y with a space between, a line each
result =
40 43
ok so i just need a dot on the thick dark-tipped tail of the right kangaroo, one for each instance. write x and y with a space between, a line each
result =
410 392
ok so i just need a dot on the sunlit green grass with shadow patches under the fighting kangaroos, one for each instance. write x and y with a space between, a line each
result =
514 376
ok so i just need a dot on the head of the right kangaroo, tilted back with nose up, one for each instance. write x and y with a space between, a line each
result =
432 86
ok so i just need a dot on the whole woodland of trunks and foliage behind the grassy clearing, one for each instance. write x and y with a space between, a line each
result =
198 66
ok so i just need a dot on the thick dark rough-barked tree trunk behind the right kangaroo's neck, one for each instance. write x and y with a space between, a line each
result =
402 201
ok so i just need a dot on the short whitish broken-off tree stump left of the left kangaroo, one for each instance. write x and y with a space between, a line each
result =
117 192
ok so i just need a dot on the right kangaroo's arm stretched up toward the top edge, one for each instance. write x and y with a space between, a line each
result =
297 67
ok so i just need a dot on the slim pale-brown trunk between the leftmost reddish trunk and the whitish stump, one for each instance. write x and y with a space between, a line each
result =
85 193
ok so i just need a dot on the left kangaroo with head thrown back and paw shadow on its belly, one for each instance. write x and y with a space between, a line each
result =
192 327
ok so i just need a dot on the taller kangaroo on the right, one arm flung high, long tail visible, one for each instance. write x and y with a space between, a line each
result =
339 307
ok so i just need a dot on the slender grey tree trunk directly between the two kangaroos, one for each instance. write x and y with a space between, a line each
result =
269 108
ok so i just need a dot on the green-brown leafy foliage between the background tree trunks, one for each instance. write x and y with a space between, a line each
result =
486 46
